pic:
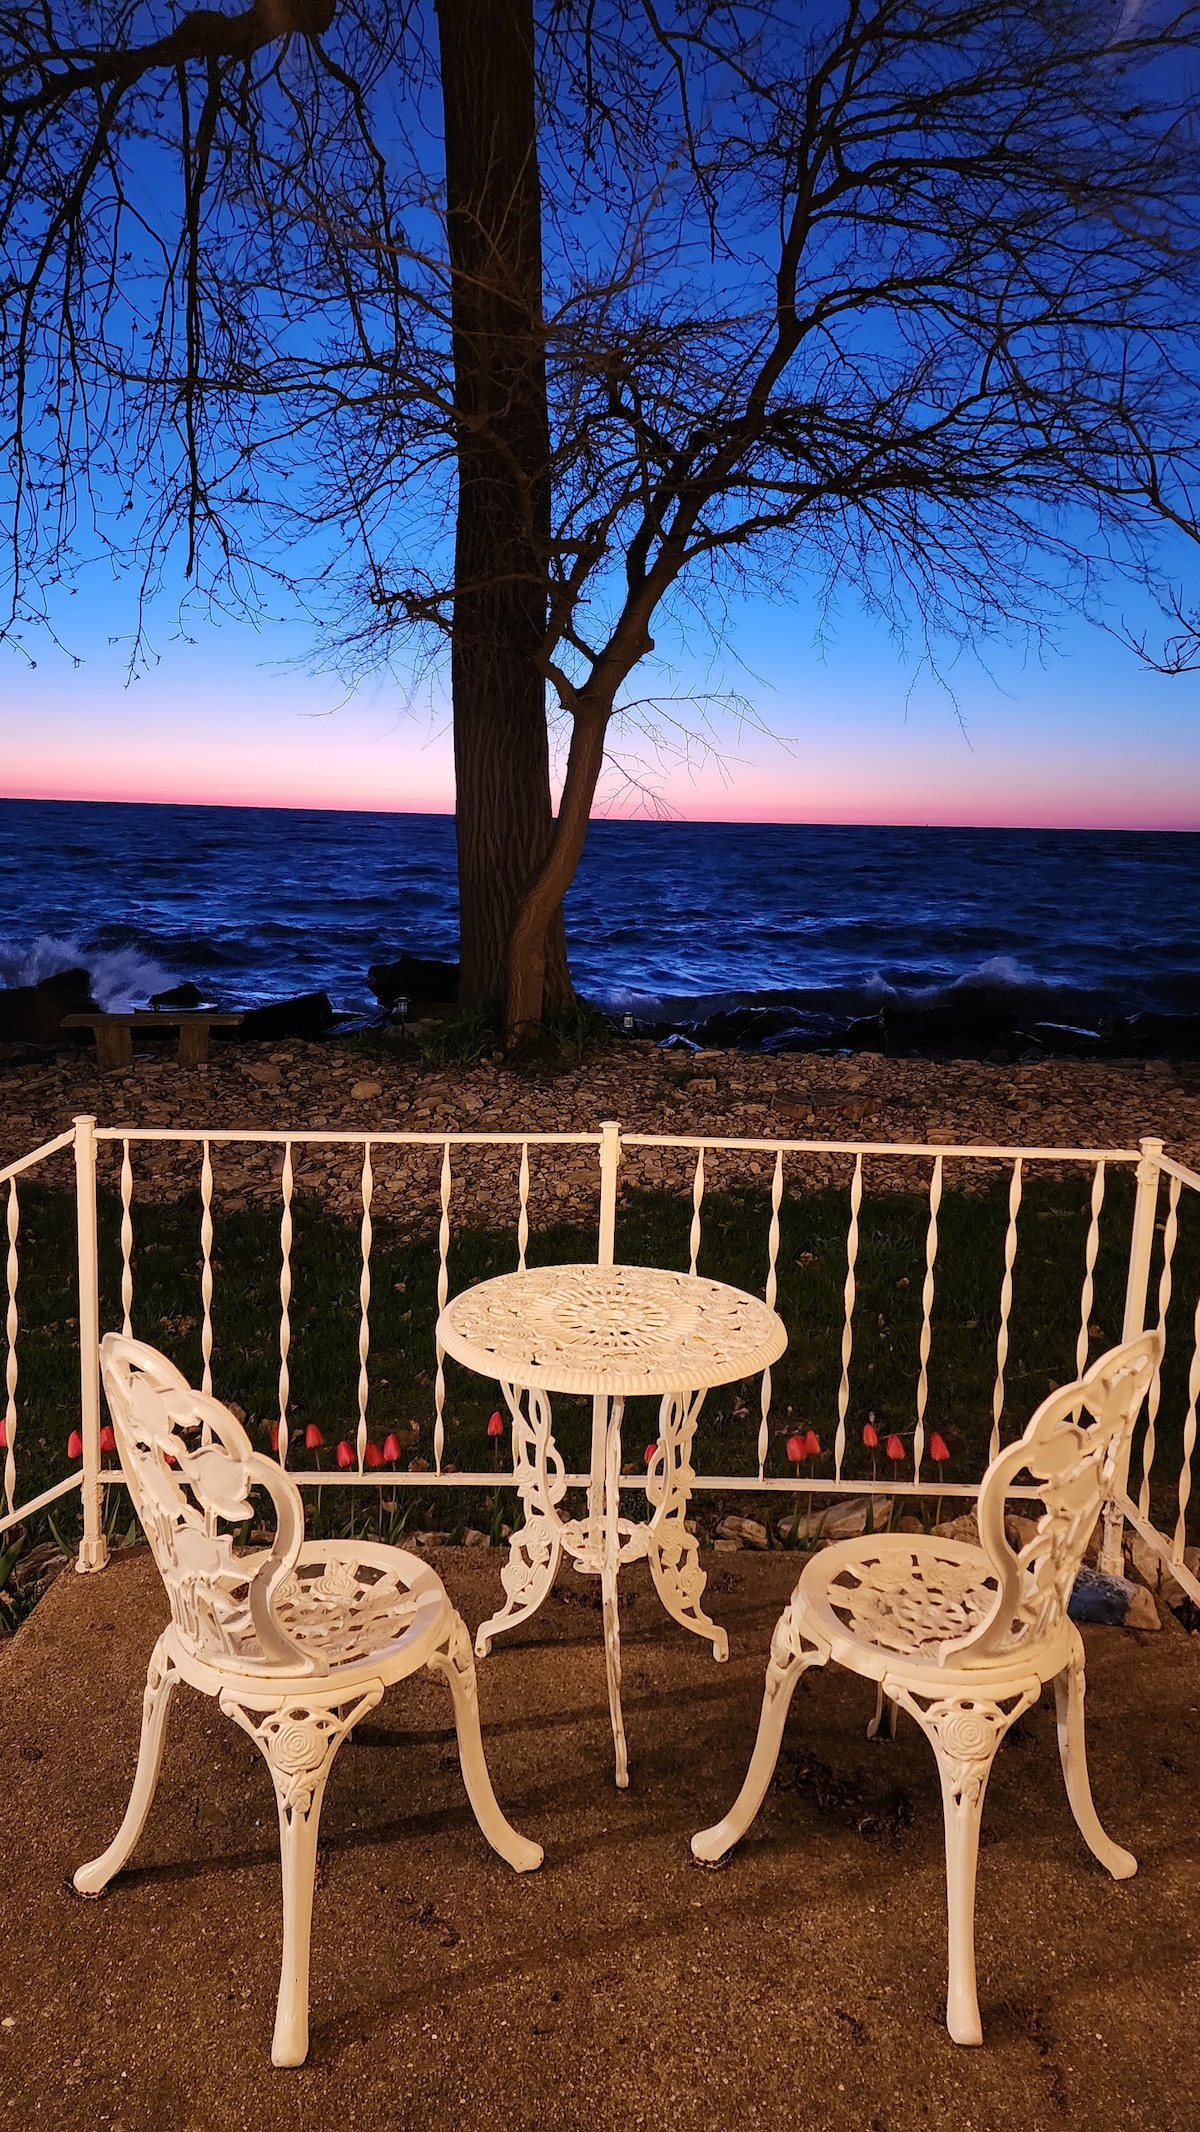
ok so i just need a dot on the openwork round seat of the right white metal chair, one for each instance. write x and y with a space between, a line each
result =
896 1600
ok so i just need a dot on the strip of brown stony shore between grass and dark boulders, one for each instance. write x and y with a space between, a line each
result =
353 1086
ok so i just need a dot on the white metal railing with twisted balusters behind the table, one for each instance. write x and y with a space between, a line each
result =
1156 1178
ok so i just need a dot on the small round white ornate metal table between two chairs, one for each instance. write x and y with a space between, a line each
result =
611 1334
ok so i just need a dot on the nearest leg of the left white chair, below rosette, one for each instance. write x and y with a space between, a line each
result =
297 1741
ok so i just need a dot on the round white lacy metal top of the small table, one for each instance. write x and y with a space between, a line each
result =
611 1329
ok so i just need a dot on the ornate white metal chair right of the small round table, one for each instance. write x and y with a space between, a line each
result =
964 1638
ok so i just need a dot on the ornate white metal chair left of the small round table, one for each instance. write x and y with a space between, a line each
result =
295 1641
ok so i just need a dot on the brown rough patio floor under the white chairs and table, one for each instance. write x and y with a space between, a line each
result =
798 1990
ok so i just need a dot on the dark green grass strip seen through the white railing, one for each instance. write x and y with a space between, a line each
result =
653 1229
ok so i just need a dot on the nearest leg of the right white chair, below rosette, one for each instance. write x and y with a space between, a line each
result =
964 1734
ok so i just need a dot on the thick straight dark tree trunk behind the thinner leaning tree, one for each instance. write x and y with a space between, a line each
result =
502 758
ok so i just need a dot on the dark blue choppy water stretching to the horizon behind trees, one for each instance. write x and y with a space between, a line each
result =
255 905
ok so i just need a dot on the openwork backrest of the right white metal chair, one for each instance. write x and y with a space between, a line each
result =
1075 1453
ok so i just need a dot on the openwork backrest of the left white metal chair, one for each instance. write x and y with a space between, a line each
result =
191 1468
